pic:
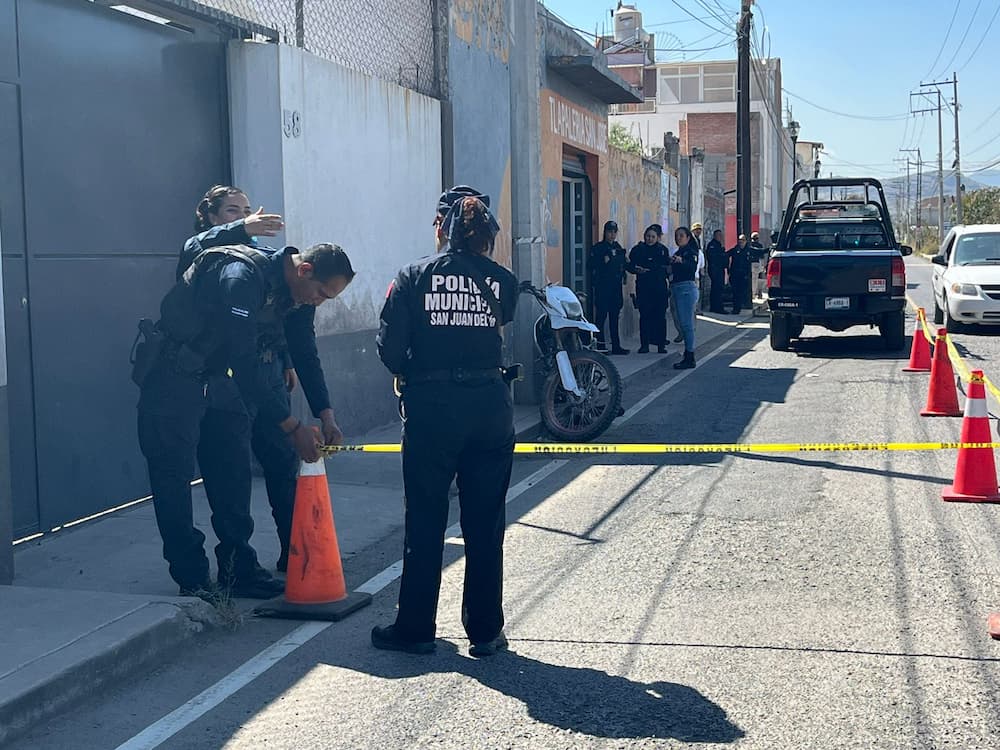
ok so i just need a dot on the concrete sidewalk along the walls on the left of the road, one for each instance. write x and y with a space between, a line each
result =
93 603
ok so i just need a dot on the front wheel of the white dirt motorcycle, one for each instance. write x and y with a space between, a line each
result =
569 418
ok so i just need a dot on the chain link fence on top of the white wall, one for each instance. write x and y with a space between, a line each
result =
394 40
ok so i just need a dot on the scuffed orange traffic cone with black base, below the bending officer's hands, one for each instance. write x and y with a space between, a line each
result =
314 588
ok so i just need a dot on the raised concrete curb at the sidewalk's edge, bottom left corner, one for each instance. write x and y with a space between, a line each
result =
113 652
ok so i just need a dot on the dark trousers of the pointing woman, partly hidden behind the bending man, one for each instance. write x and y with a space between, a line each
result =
277 458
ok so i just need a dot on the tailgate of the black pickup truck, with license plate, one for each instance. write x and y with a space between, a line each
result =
851 272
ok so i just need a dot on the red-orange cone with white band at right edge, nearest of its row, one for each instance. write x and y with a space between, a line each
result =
976 471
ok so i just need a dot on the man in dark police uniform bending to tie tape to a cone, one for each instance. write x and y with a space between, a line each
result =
211 321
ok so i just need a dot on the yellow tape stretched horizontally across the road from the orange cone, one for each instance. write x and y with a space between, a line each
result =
569 449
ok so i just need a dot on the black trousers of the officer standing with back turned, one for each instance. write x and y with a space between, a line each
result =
467 431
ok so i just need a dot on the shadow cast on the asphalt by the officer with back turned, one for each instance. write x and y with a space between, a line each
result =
578 699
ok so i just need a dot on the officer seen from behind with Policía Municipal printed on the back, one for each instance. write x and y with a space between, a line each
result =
440 334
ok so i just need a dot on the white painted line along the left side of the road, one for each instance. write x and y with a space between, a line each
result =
162 730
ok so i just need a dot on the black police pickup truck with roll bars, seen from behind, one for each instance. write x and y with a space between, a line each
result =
837 263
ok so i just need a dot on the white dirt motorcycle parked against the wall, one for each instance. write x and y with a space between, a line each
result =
581 391
